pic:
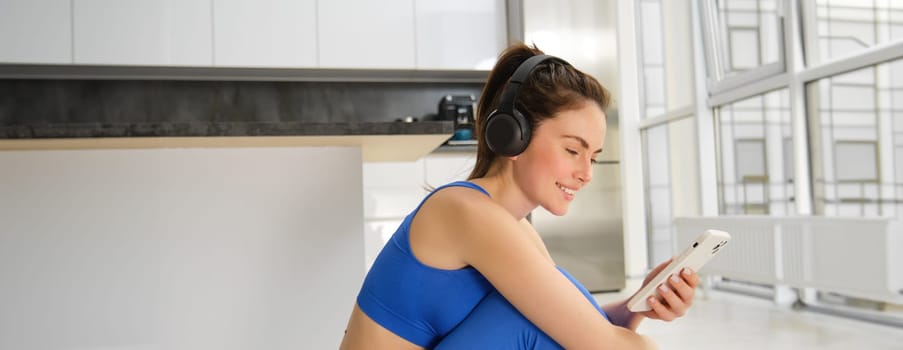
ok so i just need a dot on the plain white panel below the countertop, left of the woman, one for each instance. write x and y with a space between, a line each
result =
255 248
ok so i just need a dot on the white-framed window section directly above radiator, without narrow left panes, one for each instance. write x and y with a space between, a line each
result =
829 106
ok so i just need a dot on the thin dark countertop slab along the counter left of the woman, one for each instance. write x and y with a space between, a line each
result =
220 129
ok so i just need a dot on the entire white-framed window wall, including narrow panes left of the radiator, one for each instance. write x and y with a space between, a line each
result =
802 111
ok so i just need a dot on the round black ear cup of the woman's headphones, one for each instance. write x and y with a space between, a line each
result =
507 134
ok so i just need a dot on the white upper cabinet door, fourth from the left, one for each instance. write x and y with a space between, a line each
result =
366 34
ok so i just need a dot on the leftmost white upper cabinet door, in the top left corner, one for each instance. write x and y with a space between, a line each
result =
35 31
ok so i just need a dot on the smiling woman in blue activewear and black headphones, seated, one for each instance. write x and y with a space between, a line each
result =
467 270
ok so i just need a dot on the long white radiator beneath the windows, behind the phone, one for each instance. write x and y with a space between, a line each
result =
853 256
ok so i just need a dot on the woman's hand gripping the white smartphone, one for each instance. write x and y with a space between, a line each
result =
676 294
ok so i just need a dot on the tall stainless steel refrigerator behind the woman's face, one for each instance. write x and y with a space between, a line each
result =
588 241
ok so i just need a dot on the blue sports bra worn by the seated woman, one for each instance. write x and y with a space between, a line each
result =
417 302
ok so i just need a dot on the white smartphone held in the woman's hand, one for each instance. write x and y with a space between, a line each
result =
697 254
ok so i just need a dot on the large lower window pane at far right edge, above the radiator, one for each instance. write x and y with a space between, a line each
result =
856 123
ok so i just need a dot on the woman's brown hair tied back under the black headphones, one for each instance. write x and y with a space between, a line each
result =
551 88
